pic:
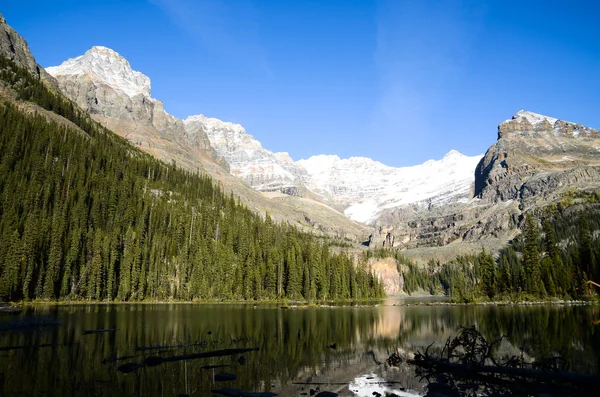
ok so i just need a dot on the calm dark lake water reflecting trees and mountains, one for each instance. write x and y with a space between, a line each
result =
45 352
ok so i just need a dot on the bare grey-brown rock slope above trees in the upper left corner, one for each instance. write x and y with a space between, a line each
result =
13 46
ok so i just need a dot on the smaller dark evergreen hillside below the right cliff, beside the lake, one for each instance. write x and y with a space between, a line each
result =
555 256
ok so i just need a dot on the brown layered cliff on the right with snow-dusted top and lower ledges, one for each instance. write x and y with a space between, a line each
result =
535 160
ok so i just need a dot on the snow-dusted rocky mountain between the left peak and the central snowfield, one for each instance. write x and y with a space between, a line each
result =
260 168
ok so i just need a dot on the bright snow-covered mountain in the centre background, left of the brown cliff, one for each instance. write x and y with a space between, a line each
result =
365 188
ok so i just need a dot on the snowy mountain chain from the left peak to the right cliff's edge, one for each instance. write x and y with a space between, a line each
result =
103 83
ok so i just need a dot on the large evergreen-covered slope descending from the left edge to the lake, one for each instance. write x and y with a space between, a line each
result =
85 215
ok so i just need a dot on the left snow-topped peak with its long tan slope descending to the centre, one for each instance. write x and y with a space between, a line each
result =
103 83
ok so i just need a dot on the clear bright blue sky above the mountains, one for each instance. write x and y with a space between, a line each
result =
398 81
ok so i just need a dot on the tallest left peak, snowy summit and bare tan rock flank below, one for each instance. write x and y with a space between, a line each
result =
102 83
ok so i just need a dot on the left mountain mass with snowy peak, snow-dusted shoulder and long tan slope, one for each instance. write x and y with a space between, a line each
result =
103 83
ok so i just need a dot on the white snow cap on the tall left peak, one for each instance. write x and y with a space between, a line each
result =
105 66
